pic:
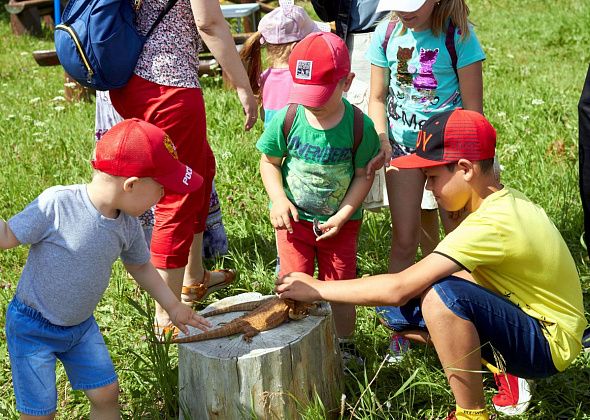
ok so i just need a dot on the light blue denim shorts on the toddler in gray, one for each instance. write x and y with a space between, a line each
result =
34 344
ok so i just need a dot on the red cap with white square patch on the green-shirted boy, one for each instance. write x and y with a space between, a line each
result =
317 64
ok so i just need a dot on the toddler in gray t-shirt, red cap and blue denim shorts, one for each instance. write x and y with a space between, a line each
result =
76 233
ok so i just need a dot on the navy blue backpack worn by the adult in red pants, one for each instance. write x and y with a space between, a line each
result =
97 42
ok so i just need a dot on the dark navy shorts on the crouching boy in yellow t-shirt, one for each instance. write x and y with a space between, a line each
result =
502 326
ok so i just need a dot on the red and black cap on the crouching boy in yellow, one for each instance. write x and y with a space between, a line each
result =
450 136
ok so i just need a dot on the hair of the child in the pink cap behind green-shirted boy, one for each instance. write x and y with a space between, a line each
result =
251 55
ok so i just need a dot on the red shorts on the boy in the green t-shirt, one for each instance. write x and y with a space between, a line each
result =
336 256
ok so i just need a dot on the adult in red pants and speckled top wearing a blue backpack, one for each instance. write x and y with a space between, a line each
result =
165 91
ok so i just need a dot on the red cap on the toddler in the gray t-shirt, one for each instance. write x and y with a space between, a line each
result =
137 148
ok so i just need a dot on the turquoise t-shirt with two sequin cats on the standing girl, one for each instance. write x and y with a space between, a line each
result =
422 80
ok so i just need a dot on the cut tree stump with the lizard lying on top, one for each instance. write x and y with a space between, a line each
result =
228 378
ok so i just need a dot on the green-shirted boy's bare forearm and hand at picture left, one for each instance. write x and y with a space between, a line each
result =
282 208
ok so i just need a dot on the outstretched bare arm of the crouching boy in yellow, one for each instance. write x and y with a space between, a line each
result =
383 289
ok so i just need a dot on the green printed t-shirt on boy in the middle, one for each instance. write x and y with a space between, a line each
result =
318 166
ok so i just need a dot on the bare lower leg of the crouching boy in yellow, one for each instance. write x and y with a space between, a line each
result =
457 344
